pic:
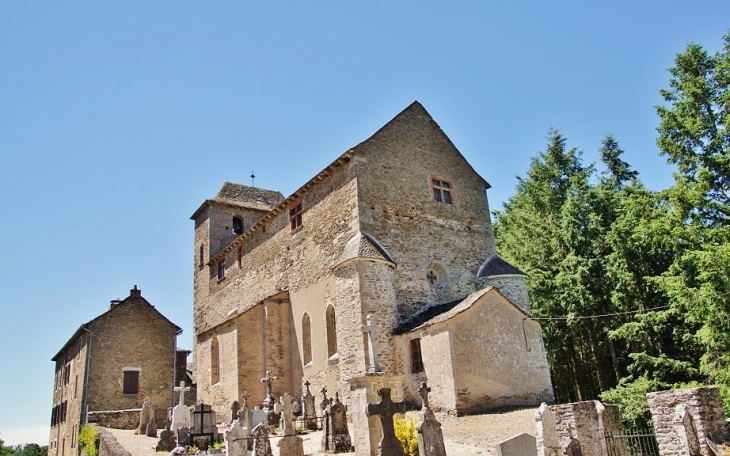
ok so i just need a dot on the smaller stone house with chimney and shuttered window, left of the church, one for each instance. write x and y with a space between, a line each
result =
110 364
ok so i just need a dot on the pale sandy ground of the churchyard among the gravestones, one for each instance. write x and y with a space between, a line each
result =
464 436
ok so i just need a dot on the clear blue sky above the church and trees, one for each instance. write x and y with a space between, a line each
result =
117 119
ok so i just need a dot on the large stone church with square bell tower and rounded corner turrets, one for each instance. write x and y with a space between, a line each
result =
398 227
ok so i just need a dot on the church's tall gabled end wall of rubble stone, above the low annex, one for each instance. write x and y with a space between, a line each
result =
395 168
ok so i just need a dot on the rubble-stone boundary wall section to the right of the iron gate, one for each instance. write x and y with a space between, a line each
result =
684 418
